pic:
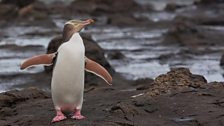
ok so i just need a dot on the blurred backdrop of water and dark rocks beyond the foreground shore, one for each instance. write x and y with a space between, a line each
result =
140 38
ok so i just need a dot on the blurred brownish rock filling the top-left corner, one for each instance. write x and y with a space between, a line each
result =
28 12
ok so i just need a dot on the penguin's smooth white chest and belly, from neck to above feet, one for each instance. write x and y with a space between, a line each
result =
68 76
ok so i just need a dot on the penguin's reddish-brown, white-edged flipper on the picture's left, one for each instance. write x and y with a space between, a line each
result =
45 59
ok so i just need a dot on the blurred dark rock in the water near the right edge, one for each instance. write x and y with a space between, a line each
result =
187 33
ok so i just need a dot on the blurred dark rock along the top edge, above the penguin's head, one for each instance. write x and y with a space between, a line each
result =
97 7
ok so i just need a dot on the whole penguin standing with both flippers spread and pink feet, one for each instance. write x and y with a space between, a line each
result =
67 85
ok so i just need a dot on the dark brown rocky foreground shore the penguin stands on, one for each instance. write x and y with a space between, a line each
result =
175 98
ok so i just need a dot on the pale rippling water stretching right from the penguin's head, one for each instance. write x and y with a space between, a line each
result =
142 49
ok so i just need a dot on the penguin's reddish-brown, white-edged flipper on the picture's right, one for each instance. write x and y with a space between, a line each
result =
97 69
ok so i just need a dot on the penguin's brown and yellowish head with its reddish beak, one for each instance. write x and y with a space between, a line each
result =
74 26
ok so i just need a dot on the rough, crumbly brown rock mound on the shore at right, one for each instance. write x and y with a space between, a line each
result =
176 79
